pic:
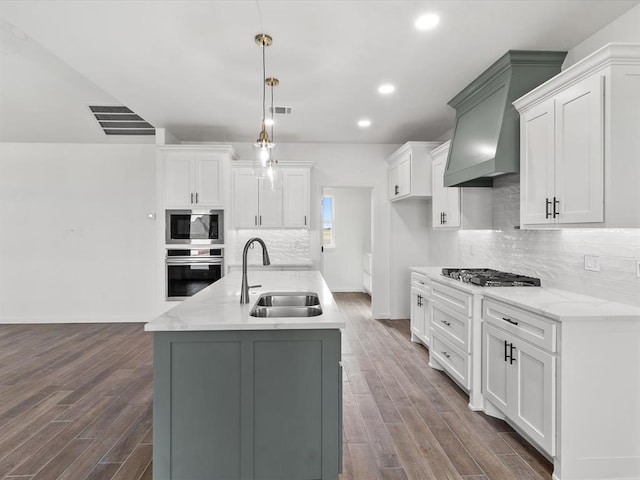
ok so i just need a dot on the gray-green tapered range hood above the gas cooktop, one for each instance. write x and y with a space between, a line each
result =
486 137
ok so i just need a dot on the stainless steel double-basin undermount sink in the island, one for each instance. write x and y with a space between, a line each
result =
287 304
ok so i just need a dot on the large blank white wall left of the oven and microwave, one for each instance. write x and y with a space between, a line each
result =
75 241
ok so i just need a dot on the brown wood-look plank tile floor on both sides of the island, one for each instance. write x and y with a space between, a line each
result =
76 404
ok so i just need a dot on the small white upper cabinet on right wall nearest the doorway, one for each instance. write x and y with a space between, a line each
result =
409 172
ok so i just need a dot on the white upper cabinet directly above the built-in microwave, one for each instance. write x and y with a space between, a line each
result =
193 175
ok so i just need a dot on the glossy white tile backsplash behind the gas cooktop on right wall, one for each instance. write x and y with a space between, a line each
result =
555 256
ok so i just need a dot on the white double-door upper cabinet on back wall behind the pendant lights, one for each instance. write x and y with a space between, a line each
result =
257 205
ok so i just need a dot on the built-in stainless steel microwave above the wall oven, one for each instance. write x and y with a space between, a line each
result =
204 227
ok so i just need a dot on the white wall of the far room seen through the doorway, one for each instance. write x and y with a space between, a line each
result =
342 265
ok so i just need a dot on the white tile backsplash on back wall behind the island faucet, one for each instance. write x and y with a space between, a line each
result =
290 247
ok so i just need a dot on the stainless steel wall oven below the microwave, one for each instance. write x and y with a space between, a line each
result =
189 270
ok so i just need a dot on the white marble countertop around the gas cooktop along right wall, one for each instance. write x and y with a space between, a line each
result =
560 305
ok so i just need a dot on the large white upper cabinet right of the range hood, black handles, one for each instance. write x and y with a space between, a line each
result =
580 145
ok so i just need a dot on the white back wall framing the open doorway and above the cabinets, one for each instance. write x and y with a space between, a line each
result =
347 165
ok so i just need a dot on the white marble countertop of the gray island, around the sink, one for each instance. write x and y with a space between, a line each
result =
218 307
